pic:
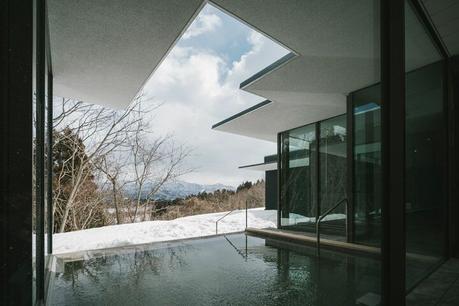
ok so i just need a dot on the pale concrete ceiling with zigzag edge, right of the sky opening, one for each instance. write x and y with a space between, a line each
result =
336 44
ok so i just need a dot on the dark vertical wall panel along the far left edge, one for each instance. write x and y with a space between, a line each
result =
16 153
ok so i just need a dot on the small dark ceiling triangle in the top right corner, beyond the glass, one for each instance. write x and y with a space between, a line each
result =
445 17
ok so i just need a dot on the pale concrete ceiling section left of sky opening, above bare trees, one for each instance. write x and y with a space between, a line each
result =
103 51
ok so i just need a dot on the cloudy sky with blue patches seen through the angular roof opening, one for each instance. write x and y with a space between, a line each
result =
197 85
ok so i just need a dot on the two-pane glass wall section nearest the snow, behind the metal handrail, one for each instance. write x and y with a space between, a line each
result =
306 191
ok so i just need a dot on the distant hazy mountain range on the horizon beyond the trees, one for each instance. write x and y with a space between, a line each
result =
176 189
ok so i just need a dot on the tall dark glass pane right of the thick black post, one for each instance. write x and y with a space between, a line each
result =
425 132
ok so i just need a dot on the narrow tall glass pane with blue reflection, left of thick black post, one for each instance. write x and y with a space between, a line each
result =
367 165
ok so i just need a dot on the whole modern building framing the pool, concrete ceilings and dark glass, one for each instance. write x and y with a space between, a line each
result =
363 111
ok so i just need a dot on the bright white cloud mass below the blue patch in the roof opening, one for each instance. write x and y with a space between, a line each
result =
198 89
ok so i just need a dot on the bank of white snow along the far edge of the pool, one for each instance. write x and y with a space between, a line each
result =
152 231
